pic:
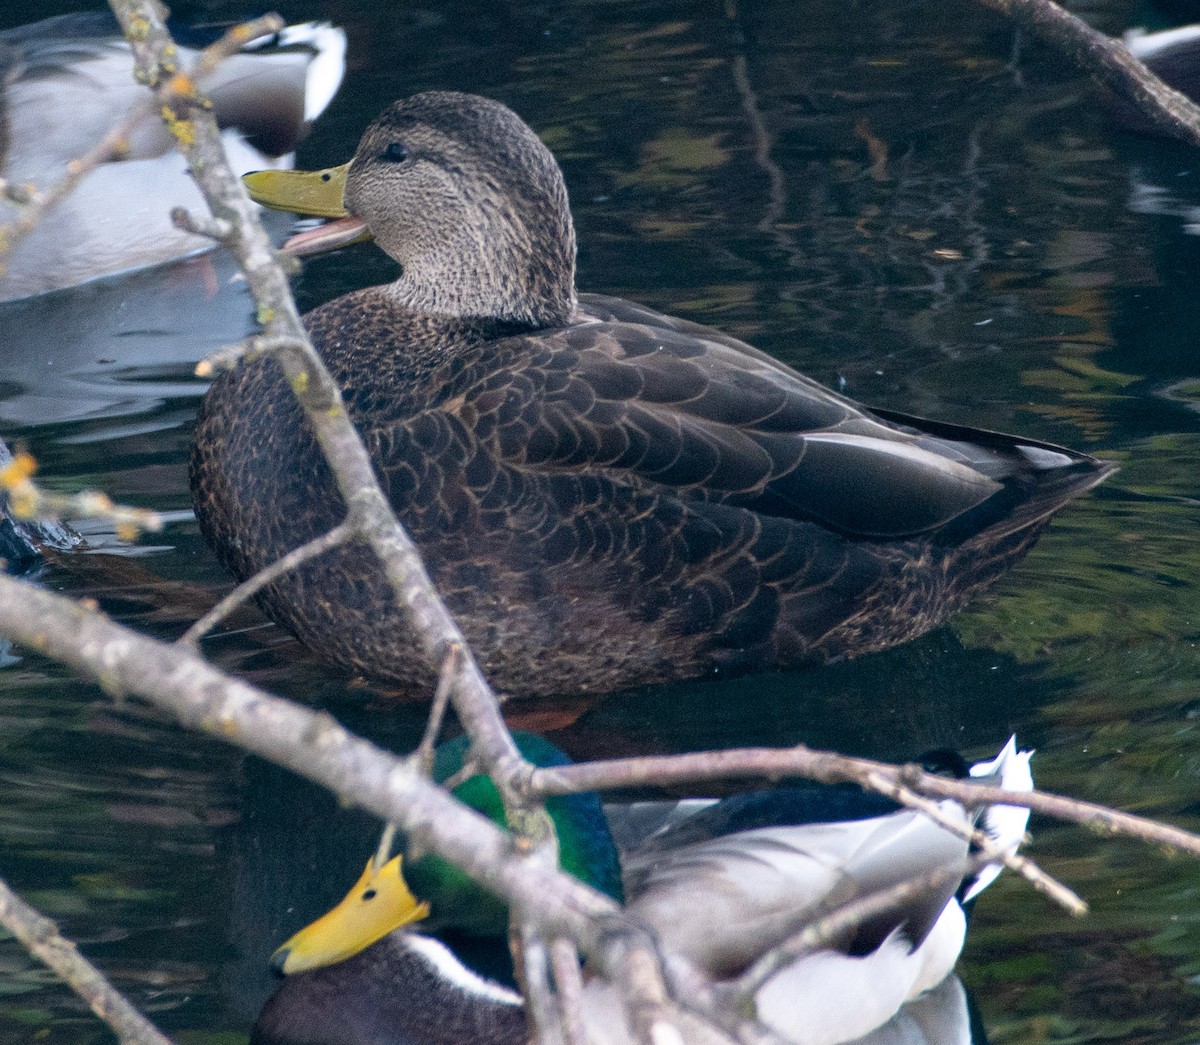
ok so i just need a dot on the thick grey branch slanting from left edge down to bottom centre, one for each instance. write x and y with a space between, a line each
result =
177 680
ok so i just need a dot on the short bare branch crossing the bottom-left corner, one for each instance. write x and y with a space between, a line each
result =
41 938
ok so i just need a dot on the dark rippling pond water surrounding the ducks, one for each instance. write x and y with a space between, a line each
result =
899 199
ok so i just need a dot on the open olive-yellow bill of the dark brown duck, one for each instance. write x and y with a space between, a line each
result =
317 194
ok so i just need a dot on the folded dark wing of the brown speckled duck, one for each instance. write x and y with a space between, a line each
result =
667 405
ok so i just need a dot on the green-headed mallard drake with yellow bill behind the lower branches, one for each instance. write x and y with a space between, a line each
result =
754 864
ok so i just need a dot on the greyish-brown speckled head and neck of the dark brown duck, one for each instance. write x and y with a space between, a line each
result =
472 205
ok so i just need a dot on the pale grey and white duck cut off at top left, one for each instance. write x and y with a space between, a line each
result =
118 218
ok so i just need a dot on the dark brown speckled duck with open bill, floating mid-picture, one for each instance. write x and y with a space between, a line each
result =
605 497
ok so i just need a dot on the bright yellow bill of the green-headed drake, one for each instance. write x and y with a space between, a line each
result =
380 903
